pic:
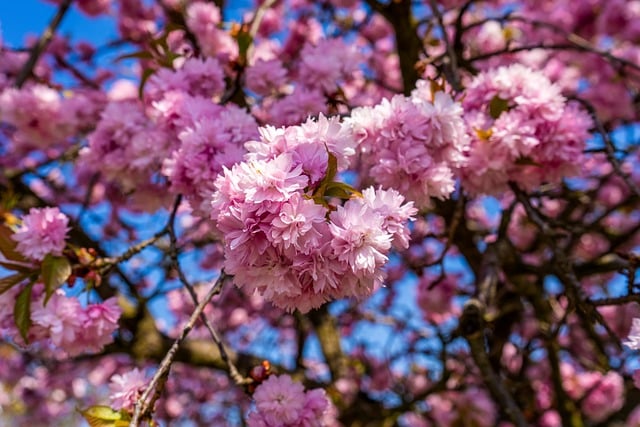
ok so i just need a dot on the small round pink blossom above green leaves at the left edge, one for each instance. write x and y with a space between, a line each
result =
43 231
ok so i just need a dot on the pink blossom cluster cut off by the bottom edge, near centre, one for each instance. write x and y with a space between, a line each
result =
282 402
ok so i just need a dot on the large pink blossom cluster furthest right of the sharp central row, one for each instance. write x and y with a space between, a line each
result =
522 130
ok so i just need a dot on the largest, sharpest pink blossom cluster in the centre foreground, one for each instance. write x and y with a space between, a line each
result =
284 240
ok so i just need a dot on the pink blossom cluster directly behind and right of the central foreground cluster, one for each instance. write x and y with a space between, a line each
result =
413 144
